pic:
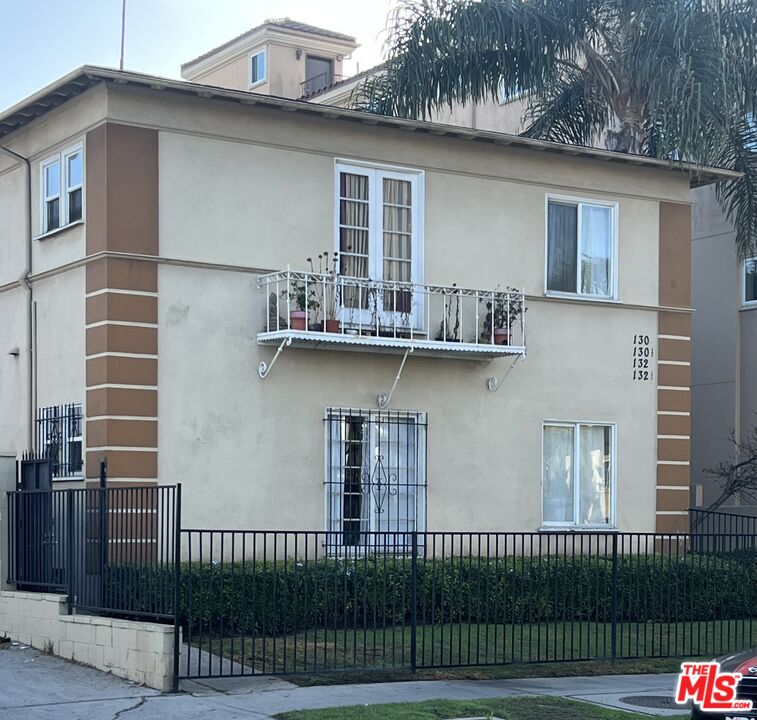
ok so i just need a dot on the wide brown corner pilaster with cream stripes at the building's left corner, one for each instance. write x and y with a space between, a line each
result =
122 304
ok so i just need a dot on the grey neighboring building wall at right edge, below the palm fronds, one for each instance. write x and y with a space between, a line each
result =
724 345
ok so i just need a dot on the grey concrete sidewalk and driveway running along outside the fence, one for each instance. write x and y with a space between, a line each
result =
34 686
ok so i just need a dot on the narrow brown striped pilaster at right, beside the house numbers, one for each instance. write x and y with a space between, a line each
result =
674 369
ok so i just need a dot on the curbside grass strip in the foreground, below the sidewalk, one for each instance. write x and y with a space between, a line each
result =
531 708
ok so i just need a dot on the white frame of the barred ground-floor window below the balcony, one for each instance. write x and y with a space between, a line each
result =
421 473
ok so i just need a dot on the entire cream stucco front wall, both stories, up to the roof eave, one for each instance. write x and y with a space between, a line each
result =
249 452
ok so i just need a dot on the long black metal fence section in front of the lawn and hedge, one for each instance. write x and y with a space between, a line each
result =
279 602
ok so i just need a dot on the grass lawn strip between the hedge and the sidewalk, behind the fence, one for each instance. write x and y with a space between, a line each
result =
442 646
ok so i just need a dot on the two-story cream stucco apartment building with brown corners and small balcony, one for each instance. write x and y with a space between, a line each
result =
170 301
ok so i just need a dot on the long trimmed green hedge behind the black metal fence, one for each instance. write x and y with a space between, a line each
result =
282 597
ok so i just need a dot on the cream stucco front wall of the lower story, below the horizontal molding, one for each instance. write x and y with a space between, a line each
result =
250 453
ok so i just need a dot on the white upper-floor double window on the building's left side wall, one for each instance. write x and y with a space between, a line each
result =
62 189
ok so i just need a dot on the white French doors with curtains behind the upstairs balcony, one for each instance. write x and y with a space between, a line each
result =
379 216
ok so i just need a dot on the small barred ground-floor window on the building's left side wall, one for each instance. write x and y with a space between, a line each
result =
59 437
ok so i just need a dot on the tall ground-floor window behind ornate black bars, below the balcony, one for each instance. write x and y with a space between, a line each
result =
375 477
